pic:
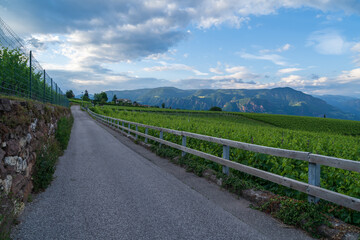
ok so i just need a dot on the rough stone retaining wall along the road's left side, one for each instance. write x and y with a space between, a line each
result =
24 126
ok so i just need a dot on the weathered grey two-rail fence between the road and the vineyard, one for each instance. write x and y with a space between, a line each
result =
312 188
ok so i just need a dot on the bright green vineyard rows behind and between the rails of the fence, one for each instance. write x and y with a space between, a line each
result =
240 127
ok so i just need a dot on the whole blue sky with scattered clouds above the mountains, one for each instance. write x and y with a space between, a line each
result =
309 45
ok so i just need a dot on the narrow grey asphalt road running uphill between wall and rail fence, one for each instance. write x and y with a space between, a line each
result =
107 187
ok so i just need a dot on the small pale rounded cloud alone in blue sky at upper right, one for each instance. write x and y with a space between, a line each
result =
328 42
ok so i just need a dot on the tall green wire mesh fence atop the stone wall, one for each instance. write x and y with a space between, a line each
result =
21 74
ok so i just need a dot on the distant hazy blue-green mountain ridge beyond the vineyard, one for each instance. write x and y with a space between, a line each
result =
276 101
